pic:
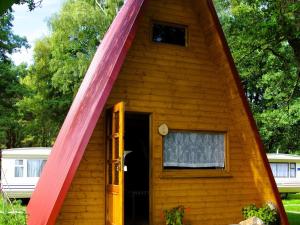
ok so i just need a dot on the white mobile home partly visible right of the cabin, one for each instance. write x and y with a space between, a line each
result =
286 171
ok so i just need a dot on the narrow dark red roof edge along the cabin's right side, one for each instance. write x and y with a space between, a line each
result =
250 116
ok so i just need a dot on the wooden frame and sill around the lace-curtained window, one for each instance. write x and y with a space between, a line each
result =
197 172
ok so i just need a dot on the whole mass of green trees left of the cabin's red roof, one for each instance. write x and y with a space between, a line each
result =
34 101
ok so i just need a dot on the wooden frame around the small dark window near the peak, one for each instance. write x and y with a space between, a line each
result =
166 23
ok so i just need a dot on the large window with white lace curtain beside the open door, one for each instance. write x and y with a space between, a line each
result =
194 150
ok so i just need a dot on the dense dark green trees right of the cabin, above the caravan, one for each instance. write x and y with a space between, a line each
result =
264 37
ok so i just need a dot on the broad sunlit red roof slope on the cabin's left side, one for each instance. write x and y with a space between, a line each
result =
67 152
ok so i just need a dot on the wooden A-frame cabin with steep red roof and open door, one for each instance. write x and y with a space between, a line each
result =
162 85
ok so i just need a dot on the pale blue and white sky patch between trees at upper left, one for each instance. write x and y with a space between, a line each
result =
32 25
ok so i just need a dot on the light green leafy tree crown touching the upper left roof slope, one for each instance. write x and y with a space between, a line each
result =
77 31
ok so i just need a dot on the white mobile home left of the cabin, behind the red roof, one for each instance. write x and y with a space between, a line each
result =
21 169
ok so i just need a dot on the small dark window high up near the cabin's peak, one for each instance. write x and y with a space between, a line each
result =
169 34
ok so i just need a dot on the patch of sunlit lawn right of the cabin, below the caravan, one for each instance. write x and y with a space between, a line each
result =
292 208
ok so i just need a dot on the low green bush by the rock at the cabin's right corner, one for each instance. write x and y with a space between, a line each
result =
266 214
